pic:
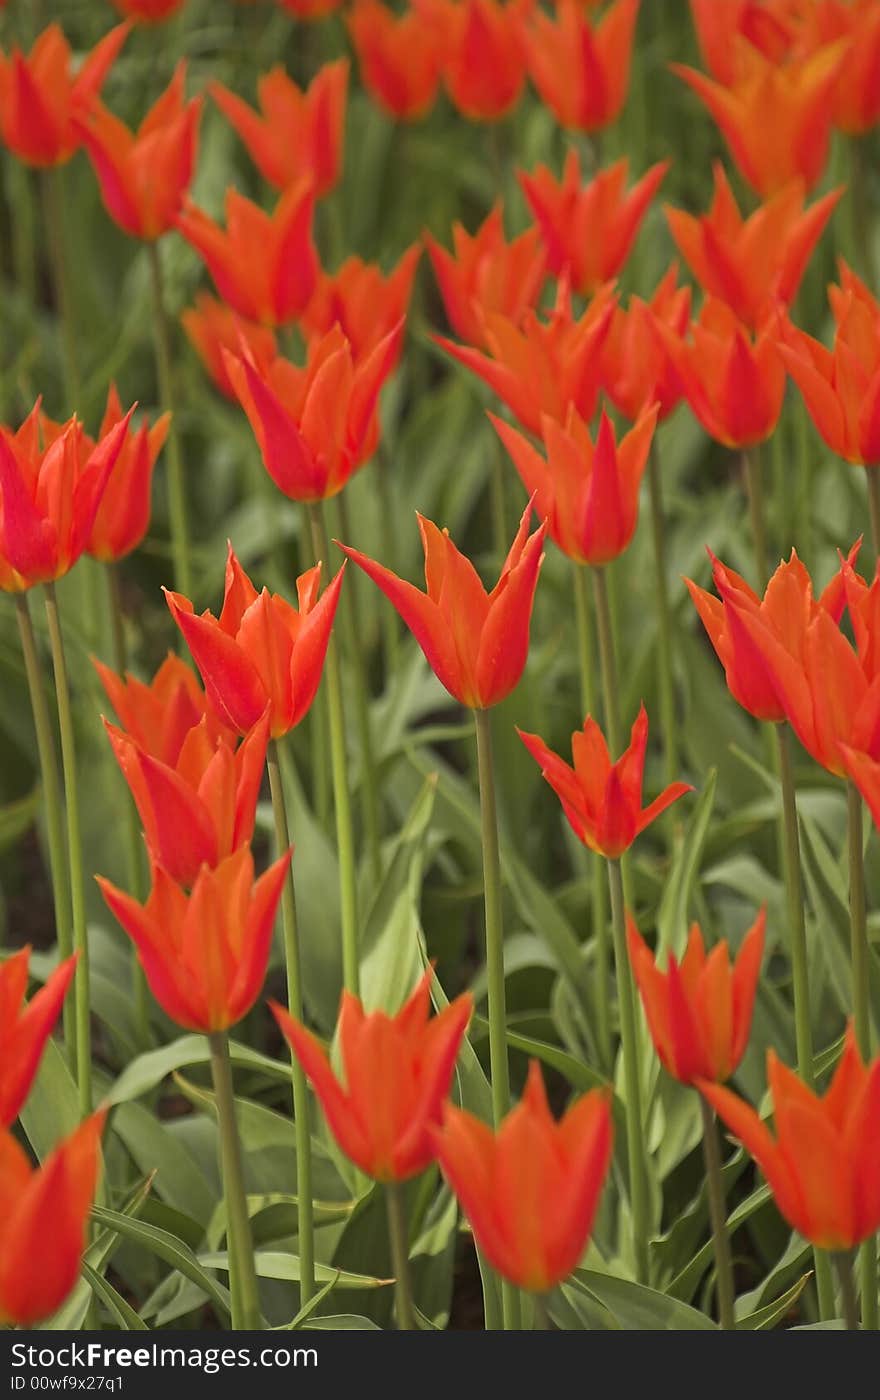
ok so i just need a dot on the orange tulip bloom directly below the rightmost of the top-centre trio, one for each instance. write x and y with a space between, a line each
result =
590 230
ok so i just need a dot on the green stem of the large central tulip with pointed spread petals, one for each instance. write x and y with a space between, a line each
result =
495 960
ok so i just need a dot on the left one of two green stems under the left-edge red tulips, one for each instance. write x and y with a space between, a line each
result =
52 804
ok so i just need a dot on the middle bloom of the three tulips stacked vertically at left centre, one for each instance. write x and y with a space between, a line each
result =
199 810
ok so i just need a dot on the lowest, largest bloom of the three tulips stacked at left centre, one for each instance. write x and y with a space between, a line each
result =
205 953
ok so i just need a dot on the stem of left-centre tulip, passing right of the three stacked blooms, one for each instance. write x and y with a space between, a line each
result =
306 1226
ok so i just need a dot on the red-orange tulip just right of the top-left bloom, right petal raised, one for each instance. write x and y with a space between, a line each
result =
145 174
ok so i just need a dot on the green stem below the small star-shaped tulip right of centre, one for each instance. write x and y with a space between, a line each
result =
630 1048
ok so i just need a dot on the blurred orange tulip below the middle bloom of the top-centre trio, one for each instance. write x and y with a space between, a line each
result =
488 275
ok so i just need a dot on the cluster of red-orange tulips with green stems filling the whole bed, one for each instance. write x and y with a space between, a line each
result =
195 755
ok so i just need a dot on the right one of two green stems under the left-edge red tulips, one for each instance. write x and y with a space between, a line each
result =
75 855
